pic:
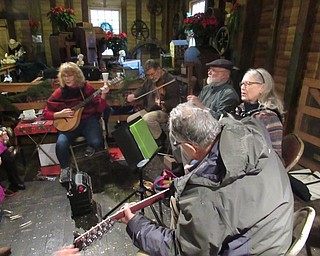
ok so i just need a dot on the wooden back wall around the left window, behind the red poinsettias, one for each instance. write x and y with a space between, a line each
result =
22 11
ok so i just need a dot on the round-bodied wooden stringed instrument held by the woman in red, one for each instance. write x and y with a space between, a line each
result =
71 123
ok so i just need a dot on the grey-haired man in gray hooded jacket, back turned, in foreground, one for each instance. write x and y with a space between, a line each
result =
236 200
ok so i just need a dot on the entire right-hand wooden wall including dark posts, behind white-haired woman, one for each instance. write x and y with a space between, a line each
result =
293 72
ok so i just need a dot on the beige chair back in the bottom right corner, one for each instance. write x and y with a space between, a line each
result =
302 224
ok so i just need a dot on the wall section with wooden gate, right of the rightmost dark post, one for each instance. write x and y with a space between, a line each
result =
307 124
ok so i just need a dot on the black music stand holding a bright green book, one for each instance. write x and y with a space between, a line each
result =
136 142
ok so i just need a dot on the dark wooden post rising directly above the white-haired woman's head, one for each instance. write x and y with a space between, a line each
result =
272 41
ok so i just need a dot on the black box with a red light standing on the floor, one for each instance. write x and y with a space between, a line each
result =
80 194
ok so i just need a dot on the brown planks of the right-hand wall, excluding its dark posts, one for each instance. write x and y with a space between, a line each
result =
307 121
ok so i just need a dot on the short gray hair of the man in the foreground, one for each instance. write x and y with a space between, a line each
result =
189 123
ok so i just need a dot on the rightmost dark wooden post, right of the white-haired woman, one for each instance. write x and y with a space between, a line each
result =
297 61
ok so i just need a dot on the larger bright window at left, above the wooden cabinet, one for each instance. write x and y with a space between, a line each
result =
97 17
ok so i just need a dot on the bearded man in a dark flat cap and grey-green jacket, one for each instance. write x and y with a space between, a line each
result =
218 96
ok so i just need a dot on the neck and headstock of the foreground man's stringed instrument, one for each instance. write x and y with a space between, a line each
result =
96 232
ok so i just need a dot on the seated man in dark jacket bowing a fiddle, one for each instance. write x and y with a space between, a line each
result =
157 102
